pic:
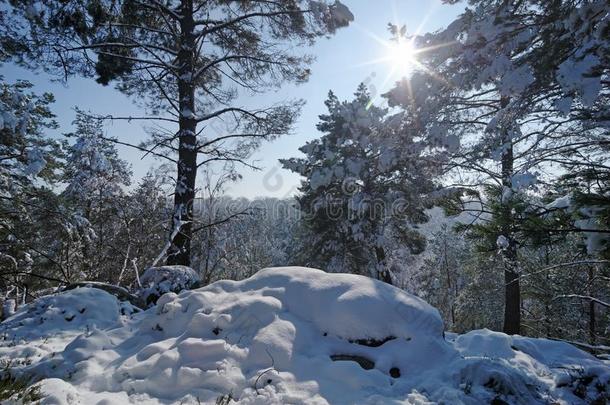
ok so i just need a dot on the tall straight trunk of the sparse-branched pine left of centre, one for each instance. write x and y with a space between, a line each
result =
182 226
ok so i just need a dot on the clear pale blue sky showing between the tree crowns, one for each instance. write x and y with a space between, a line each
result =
342 62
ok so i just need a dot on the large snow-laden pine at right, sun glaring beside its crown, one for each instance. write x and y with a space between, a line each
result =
518 85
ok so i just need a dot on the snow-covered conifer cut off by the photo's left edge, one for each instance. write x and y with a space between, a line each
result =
28 168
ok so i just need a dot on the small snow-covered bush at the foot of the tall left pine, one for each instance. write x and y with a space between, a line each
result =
157 281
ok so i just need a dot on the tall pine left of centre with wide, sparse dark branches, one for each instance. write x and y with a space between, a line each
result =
186 61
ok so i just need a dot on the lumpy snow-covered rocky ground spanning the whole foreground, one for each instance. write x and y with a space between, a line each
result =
285 336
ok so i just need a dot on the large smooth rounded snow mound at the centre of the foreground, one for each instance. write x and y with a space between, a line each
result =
343 305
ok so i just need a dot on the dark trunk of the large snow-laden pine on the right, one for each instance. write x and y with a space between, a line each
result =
512 289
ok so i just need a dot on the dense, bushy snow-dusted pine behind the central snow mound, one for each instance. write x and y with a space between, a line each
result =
364 187
